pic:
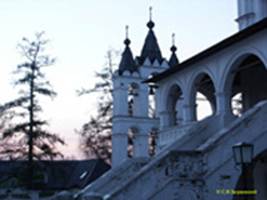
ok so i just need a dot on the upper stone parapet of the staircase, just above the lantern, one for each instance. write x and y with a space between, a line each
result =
251 127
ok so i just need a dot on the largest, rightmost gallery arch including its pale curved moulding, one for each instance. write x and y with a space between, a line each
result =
239 78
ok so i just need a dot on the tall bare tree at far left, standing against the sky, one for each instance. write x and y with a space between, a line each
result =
25 136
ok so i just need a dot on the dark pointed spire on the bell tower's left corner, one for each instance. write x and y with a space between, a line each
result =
127 62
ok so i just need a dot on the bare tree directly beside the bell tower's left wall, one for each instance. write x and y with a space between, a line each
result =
96 133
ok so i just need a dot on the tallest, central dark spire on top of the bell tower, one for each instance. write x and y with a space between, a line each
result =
151 48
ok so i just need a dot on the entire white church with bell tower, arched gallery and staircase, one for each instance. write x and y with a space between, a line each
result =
221 156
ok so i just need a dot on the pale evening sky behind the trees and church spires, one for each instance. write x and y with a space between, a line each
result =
81 32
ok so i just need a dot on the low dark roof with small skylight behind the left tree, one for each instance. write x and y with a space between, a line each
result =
52 175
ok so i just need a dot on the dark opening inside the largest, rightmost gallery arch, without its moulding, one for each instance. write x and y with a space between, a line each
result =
248 79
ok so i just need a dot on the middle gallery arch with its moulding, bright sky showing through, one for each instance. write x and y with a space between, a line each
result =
202 84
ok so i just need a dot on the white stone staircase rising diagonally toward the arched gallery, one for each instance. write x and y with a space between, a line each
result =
178 171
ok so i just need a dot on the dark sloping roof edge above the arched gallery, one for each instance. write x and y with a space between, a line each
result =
211 50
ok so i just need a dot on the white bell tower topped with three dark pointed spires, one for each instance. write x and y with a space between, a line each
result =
131 97
